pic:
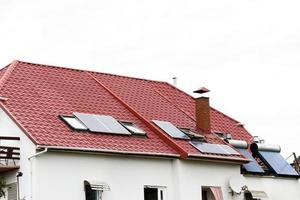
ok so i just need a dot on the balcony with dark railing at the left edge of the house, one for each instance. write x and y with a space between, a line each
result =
9 153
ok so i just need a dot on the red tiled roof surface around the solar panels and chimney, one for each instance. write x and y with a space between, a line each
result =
38 94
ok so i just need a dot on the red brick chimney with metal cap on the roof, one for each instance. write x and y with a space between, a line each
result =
203 111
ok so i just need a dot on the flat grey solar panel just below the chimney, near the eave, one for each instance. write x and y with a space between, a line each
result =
214 148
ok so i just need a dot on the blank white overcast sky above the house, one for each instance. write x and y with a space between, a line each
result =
246 51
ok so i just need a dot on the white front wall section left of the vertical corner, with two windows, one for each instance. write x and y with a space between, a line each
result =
61 175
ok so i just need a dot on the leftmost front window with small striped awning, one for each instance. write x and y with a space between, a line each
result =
94 190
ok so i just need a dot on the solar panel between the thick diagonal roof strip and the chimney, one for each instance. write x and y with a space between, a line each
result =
170 129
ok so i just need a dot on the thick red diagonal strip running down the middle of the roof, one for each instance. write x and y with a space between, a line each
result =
162 136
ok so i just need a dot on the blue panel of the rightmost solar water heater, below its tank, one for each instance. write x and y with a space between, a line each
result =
277 163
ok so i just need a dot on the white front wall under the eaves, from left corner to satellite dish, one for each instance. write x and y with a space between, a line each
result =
64 173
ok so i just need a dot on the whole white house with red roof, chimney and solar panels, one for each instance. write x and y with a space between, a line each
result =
80 135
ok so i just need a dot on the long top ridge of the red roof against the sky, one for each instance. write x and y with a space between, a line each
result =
90 71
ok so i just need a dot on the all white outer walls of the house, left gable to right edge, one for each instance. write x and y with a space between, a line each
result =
58 175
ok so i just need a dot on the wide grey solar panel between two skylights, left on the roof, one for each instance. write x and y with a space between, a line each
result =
102 123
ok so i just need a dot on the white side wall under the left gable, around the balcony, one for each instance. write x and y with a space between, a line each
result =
27 148
